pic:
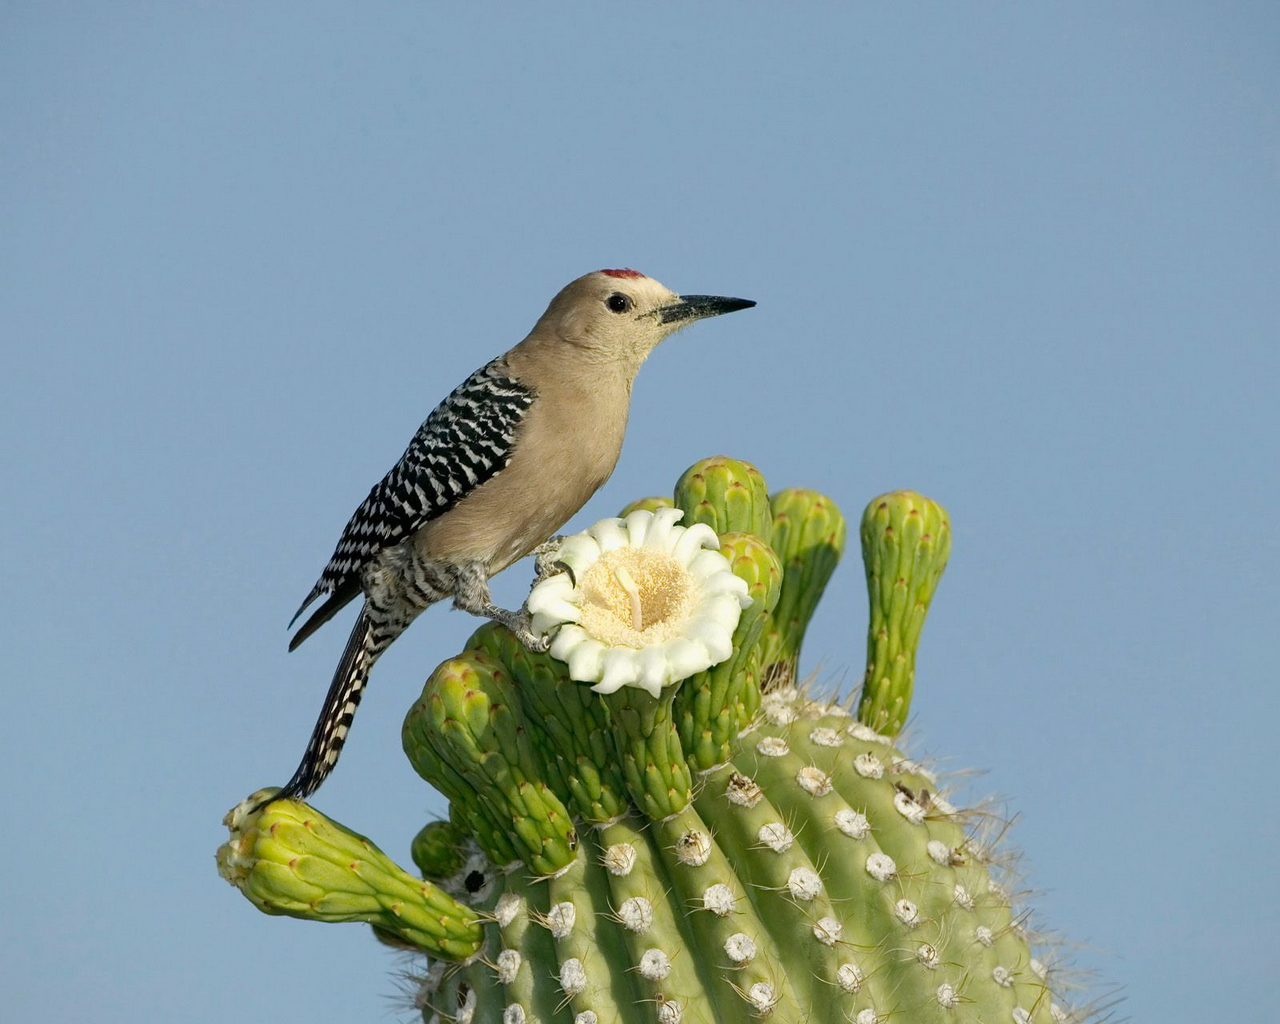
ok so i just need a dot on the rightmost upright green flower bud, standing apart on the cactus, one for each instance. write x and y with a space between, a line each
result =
907 541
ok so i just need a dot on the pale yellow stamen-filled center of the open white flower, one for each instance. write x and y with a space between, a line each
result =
636 597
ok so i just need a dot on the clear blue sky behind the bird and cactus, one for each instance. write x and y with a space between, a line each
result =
1022 258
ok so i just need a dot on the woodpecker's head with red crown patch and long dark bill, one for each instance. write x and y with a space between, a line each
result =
623 316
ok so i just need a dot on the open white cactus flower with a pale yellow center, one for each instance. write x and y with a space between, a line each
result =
648 604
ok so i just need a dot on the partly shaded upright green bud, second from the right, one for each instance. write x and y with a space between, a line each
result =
810 538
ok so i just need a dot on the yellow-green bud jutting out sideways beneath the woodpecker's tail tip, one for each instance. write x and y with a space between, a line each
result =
289 858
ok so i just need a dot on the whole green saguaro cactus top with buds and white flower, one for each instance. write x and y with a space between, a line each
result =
657 821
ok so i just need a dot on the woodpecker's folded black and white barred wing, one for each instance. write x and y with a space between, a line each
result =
467 441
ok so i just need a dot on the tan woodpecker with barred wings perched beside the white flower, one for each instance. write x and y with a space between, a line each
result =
492 474
